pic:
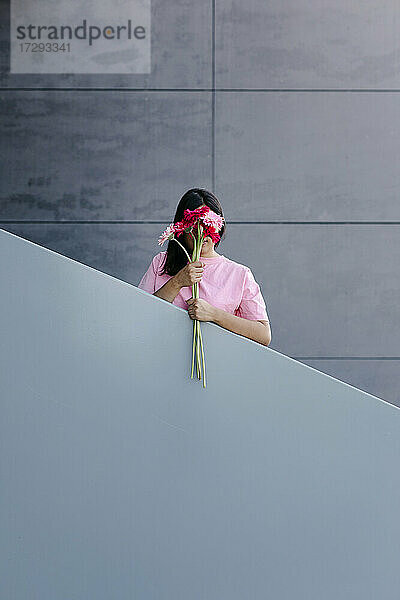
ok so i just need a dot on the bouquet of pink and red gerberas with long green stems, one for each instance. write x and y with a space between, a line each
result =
207 224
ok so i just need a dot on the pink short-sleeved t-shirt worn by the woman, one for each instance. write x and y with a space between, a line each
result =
225 284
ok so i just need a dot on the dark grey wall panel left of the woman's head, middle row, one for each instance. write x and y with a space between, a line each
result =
93 157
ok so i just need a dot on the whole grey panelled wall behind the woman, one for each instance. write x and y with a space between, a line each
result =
288 111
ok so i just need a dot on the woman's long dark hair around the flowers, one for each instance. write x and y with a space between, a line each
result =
176 258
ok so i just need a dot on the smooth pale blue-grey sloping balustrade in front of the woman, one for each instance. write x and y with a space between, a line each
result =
123 478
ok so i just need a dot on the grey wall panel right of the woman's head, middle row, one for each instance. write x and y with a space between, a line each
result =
309 156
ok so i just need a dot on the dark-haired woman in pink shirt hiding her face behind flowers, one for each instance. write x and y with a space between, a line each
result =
229 294
